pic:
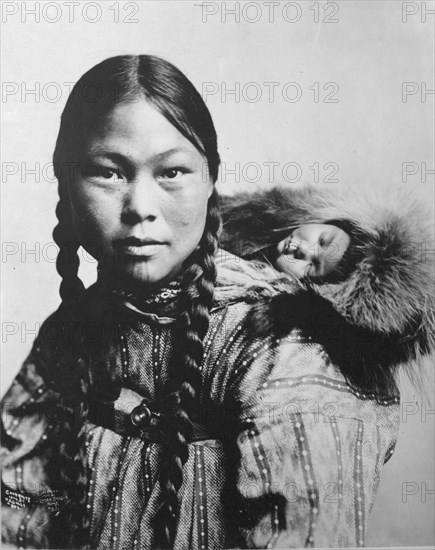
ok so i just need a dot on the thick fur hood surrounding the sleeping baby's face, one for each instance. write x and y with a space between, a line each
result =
383 313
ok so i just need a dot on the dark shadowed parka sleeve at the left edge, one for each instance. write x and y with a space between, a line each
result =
28 419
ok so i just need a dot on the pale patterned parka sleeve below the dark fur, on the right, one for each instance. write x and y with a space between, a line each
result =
310 450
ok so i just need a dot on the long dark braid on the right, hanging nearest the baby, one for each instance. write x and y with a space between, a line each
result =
197 298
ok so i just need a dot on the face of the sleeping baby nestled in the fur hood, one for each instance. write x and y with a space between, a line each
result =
312 250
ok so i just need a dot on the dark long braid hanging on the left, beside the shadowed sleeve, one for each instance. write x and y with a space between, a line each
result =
71 456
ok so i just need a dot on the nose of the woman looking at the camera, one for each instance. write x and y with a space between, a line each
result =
141 202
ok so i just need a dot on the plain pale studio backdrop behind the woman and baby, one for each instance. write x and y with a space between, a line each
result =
299 92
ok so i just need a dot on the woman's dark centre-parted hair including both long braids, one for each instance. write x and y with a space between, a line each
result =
119 80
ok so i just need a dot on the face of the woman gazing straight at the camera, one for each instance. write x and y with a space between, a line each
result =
139 198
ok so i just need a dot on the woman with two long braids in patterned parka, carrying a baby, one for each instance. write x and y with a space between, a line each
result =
157 408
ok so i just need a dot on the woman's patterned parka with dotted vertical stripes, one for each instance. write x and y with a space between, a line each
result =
299 412
